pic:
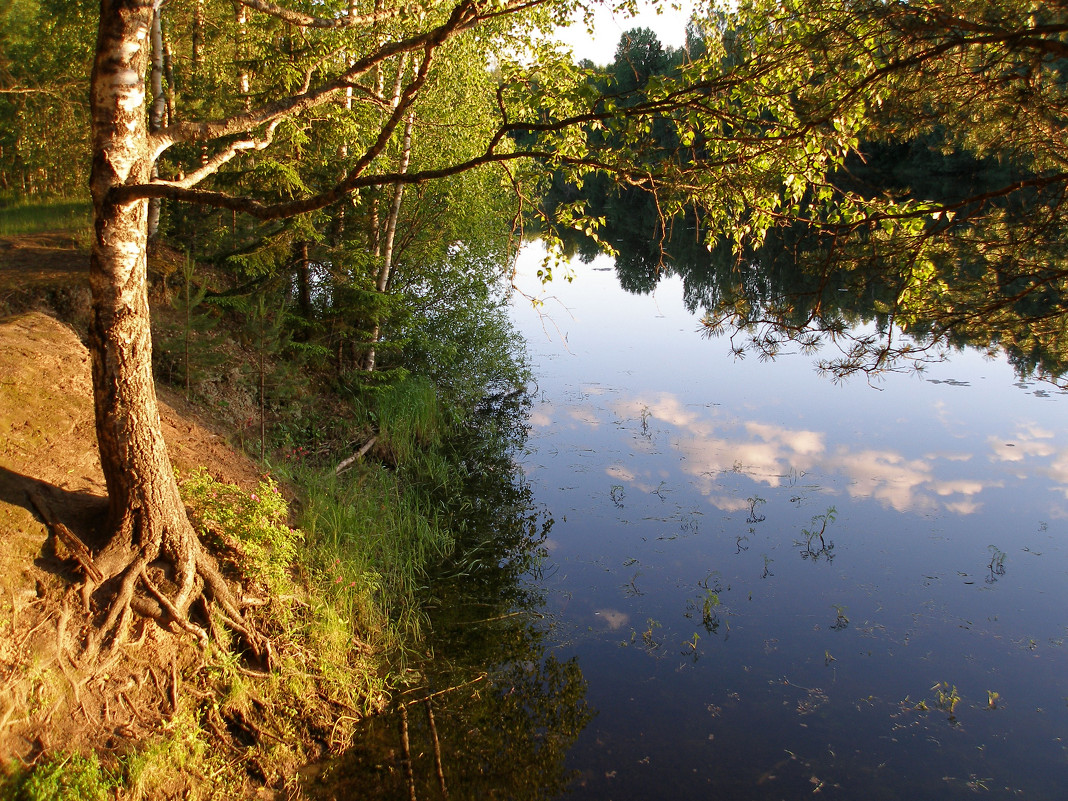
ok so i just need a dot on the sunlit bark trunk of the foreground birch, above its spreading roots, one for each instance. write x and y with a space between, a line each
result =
144 497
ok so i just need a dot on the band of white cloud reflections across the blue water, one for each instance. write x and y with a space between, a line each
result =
711 443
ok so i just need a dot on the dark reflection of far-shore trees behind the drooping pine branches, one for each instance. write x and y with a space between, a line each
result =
986 270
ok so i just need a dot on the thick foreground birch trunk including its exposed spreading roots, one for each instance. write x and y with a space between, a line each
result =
154 559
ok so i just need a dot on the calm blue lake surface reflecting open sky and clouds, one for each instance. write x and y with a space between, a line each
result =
776 586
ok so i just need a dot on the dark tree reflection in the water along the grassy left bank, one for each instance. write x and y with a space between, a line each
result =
505 712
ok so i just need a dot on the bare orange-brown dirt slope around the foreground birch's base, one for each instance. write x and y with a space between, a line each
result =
49 449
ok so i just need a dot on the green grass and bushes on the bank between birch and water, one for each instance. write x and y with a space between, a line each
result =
344 576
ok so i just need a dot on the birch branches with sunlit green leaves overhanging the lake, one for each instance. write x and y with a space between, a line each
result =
772 106
